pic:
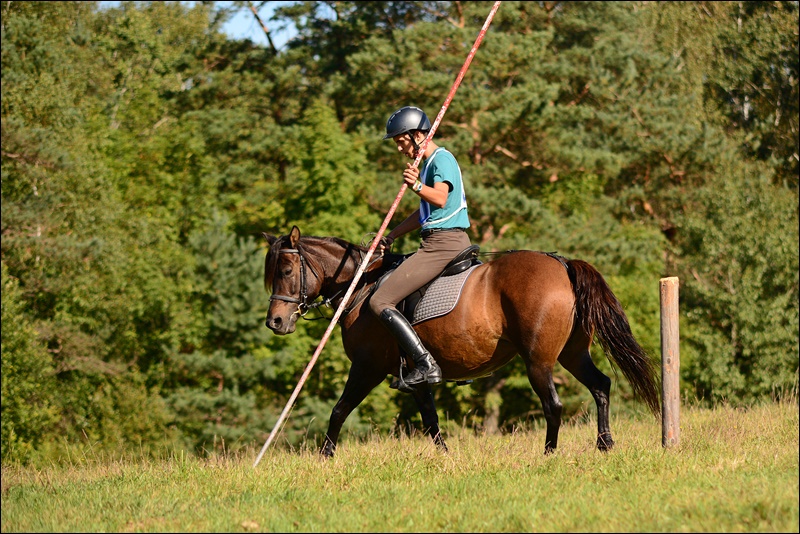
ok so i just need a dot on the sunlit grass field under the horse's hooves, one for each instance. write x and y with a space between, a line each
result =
733 471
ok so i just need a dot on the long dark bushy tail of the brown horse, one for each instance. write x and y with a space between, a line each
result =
600 314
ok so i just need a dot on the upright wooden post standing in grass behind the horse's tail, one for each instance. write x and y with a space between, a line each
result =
670 363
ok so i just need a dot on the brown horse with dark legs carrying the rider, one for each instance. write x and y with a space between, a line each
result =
537 305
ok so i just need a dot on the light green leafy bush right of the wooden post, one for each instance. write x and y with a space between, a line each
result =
740 270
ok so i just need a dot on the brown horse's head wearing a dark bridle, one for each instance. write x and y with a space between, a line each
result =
292 279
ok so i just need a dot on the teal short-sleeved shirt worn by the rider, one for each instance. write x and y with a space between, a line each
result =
443 167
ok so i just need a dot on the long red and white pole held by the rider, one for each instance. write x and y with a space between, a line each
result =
375 241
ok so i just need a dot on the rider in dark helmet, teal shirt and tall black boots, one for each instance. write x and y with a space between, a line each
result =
442 217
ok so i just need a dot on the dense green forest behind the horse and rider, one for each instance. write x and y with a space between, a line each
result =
144 152
